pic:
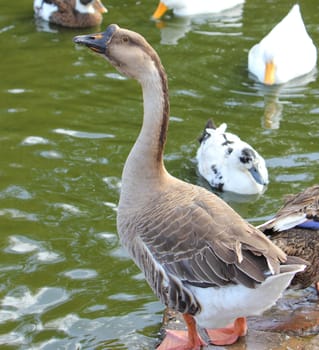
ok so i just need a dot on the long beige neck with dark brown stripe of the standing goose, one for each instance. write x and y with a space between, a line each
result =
144 168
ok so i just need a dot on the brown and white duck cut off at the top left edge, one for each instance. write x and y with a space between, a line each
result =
70 13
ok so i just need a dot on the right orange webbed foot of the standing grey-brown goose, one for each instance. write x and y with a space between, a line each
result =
229 334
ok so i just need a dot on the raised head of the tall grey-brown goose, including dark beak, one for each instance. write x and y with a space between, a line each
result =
127 51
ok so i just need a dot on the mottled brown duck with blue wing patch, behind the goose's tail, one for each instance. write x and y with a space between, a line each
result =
295 229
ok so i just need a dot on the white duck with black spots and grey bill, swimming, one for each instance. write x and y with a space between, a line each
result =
229 164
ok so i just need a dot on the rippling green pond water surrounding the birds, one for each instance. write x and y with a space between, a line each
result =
68 121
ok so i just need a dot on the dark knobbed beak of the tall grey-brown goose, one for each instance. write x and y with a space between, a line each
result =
97 42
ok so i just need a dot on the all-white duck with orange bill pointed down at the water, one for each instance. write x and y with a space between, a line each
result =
287 52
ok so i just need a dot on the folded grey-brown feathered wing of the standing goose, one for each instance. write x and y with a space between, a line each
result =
199 240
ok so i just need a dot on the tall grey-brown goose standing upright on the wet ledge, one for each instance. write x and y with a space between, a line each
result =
197 254
